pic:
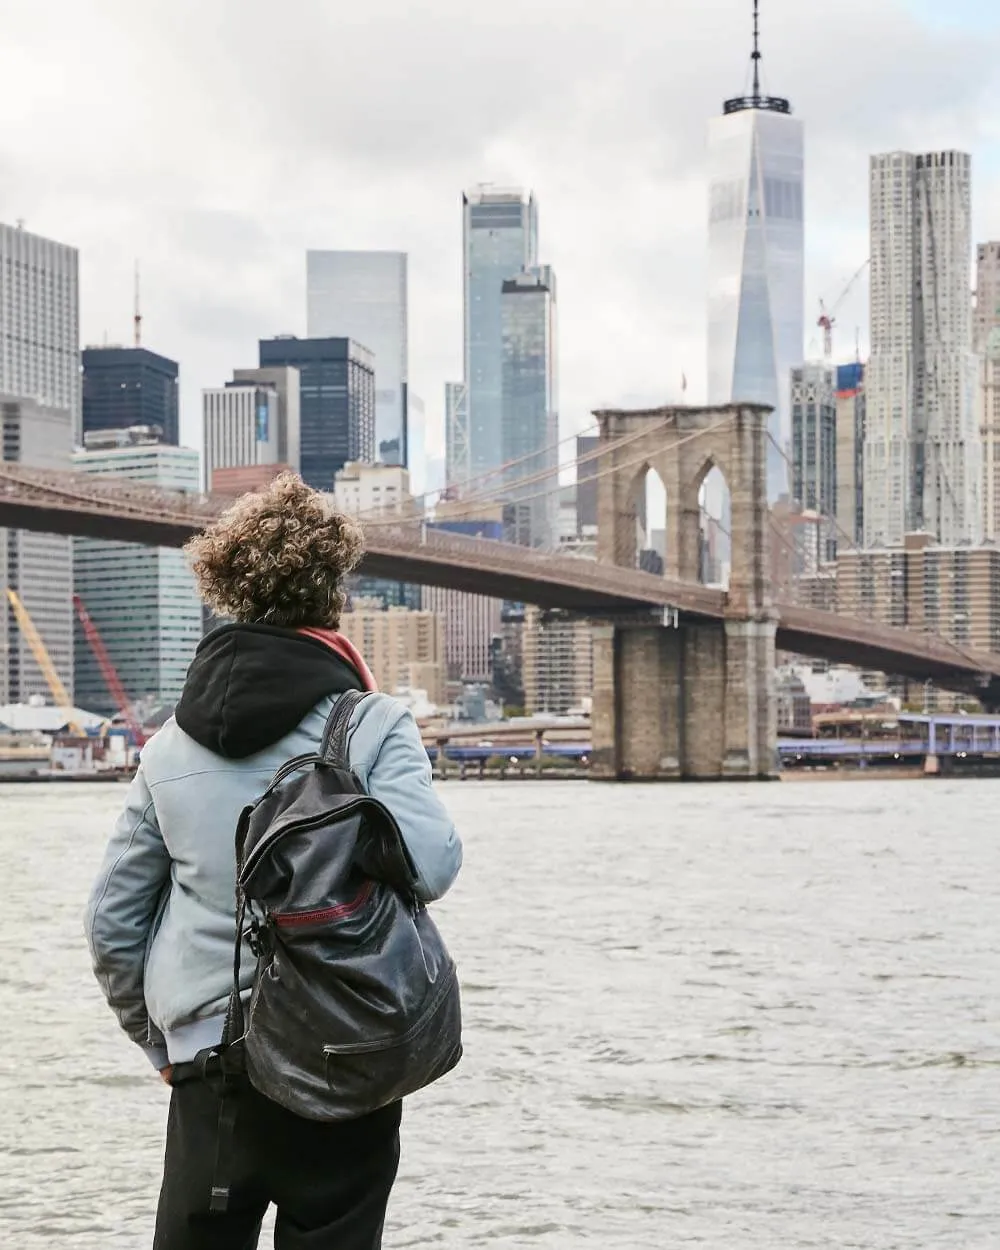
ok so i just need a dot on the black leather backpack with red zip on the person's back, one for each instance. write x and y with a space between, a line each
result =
356 1001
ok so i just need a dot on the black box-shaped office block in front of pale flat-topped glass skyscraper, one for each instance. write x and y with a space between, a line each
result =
337 398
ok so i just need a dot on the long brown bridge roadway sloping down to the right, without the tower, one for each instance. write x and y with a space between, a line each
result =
108 508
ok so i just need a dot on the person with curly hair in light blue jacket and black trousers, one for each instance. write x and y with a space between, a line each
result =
162 919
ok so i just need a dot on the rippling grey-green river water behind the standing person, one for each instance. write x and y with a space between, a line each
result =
723 1017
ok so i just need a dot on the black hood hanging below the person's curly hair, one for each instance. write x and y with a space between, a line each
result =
249 686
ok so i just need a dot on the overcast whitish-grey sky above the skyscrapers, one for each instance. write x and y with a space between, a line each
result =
217 141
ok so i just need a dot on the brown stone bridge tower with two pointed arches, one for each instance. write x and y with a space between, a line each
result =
693 699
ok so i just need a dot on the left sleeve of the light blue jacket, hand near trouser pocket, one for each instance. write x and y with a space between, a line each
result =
121 916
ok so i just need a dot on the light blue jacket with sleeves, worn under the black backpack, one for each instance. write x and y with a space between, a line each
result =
162 916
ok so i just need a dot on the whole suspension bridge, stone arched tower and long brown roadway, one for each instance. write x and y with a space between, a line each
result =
684 673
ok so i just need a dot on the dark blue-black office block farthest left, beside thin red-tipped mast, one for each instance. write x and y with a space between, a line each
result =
131 387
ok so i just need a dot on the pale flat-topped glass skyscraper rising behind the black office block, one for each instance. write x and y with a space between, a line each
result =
363 296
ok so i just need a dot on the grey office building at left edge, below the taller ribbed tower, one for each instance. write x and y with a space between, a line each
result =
38 568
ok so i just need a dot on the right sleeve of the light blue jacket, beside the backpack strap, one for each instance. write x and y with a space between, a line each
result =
399 776
